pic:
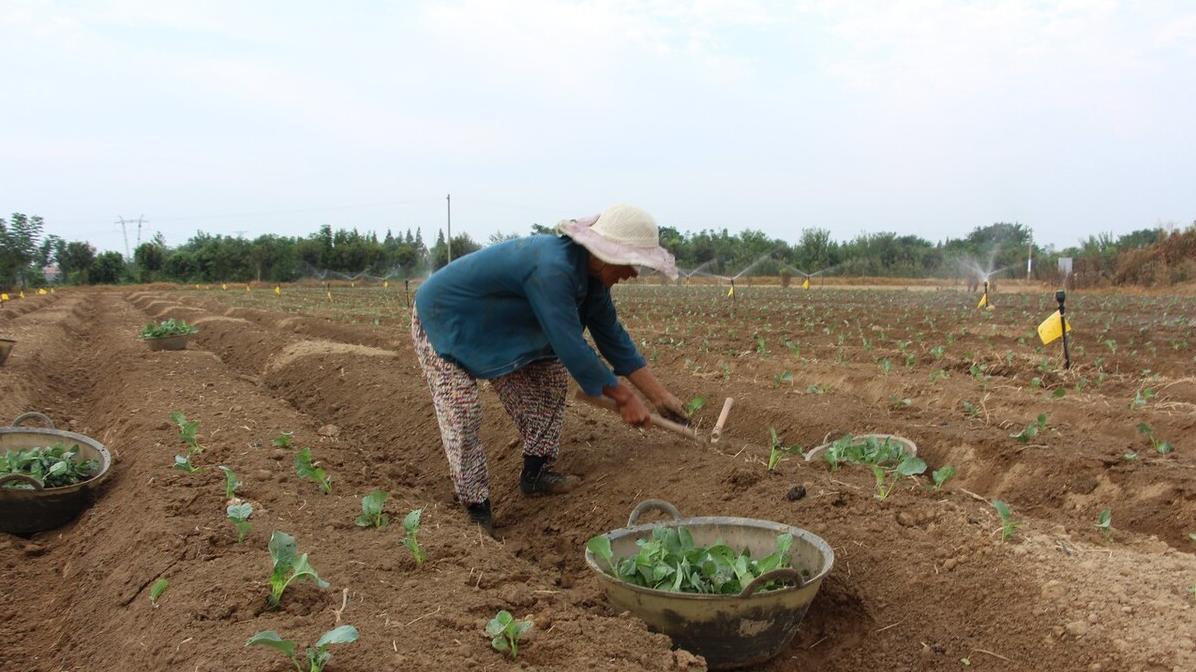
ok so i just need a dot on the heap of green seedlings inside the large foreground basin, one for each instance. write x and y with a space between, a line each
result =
669 560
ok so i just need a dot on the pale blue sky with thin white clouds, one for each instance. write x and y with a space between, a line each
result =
917 117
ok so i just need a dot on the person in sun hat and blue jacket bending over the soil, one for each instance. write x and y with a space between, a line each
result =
515 314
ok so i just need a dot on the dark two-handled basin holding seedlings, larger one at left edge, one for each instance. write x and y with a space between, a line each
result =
27 504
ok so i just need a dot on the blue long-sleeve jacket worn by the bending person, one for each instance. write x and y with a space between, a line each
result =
529 300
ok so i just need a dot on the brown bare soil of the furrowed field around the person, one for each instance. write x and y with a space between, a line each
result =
923 579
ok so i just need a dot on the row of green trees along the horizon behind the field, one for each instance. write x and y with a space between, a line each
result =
28 255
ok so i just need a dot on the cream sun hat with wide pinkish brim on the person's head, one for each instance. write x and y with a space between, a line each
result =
623 235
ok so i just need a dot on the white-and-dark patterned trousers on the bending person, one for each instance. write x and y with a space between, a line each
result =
534 398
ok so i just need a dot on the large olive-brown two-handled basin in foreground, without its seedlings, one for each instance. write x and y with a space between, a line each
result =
730 631
